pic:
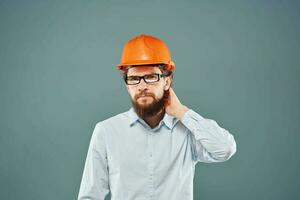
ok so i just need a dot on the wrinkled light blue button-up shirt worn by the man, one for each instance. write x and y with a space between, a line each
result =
135 162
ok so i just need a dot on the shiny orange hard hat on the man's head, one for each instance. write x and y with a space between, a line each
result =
145 50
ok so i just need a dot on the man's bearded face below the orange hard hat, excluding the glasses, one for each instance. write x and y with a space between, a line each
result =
148 98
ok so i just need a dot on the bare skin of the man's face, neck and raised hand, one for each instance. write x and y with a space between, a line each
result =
174 107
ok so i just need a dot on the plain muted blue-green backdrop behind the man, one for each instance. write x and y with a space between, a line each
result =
237 63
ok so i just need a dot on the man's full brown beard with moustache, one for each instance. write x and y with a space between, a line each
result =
151 109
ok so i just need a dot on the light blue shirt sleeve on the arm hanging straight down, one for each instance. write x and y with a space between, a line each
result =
94 183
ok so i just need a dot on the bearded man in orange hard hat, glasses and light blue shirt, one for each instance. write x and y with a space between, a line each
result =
150 151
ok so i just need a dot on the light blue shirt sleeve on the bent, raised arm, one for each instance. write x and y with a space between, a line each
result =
210 142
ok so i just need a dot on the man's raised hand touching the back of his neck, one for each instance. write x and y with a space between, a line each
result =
174 107
